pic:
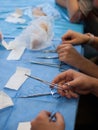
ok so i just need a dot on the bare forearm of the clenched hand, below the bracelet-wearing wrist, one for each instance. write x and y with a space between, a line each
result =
88 67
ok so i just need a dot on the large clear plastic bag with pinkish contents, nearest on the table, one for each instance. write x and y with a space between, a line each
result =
36 36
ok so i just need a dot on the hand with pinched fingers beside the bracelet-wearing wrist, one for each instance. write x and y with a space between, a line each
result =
72 37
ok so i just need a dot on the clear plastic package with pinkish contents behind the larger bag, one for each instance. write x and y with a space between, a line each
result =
42 10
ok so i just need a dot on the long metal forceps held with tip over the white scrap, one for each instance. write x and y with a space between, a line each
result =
56 86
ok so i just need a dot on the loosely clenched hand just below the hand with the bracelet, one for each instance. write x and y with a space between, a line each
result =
68 54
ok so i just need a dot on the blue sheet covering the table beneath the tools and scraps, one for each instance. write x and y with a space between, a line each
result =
27 109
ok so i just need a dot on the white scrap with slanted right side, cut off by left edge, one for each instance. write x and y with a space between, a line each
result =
5 100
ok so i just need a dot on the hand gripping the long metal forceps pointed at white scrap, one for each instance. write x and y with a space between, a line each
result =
75 83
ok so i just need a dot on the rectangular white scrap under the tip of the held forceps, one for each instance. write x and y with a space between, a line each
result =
18 78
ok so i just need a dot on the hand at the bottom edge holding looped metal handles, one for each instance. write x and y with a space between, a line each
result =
41 122
